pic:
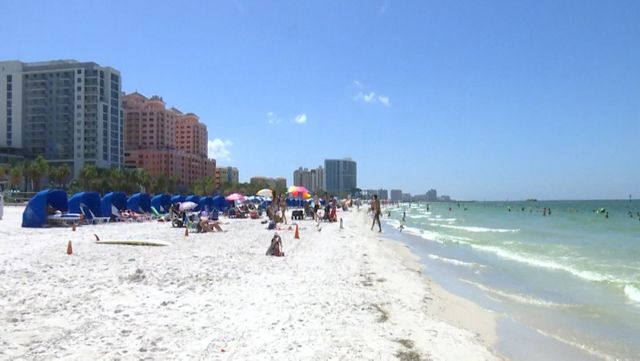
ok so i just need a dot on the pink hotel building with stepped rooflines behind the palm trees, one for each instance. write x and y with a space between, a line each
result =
165 141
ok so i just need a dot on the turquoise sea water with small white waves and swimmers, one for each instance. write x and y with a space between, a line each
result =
572 277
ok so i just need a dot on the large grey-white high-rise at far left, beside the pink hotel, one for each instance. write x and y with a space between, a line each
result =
65 110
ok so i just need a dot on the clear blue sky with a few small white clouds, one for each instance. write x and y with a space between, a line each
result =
477 99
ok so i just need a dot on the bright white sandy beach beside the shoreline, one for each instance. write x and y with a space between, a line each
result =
336 295
